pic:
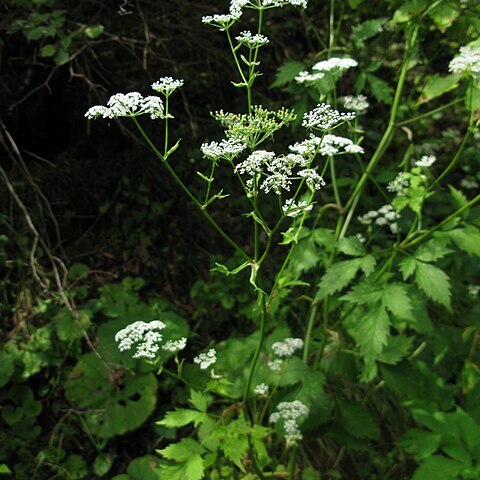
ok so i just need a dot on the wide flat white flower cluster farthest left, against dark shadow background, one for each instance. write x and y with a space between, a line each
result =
130 104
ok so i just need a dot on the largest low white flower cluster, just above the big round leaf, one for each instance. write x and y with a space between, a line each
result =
144 335
